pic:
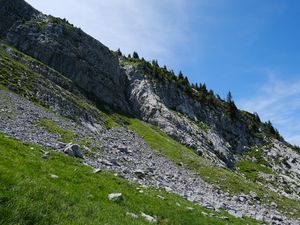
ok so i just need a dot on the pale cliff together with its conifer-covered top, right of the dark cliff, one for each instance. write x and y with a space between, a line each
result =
206 125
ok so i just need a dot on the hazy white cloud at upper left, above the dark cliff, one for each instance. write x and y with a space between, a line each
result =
152 28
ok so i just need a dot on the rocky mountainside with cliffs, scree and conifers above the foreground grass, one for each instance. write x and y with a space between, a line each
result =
131 116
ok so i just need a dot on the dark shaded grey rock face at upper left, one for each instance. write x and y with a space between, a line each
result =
67 49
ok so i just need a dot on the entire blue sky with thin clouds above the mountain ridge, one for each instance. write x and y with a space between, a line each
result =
249 47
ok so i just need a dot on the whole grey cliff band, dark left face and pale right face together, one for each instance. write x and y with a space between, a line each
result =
96 70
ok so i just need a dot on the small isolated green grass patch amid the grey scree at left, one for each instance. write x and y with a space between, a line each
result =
51 126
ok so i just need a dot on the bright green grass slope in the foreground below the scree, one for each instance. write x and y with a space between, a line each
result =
29 195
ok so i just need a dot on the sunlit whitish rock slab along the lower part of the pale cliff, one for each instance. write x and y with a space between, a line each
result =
148 104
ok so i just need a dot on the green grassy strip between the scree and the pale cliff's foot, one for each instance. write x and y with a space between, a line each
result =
228 180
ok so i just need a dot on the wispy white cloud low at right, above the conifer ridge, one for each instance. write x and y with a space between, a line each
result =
278 101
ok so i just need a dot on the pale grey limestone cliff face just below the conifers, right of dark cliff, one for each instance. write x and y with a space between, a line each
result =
207 130
